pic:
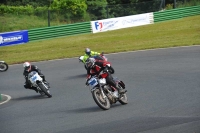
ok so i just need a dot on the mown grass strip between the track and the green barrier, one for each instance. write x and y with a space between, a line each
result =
180 32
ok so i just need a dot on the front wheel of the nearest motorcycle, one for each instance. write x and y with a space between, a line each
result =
103 103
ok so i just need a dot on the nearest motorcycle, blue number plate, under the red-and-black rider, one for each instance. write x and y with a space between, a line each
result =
104 94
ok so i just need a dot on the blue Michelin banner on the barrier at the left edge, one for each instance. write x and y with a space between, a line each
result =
11 38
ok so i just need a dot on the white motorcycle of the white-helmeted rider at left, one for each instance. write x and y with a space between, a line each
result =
37 81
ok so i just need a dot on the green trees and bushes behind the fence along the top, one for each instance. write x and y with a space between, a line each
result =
82 10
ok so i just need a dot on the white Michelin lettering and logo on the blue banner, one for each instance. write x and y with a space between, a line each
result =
10 39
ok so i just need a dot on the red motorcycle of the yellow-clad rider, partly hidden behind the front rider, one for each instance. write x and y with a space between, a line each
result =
99 57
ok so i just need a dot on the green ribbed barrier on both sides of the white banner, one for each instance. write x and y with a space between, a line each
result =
85 27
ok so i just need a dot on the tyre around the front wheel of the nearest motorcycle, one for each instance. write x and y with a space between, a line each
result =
96 99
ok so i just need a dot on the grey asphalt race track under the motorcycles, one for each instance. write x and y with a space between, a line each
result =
163 92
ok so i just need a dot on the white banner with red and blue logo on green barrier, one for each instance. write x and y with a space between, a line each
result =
121 22
